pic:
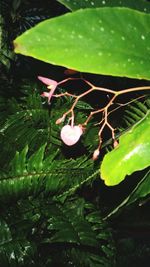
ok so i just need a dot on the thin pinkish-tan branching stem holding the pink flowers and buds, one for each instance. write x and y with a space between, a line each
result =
104 110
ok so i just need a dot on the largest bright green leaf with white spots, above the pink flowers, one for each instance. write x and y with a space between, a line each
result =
111 41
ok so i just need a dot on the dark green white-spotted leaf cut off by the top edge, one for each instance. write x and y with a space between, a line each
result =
77 4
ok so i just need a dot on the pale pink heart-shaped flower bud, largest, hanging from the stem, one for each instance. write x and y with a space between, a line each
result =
70 135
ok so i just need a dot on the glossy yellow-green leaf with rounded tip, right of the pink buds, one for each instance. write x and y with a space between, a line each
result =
131 155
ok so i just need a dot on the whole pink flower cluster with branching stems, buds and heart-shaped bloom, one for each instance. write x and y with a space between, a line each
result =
71 133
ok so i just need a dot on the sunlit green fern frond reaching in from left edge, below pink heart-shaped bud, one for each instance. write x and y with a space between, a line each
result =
31 175
